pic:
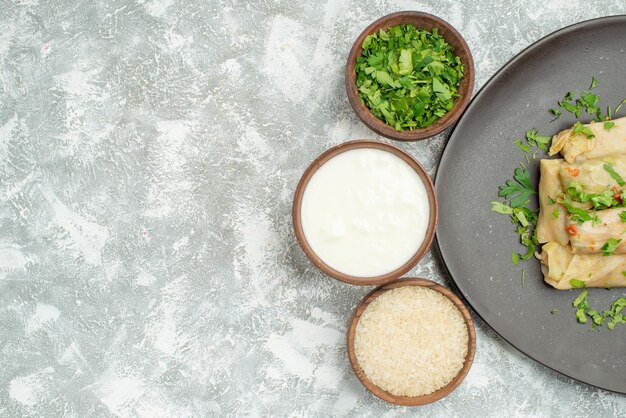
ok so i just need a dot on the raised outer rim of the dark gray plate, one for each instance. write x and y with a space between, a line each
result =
454 136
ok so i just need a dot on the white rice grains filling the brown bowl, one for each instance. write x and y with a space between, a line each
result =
411 341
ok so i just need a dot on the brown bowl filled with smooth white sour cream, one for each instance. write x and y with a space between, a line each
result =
365 212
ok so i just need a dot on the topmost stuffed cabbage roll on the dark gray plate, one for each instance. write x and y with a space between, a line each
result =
577 147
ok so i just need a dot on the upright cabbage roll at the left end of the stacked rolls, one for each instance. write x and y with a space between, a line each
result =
551 221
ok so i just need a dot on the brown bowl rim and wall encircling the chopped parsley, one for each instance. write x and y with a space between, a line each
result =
421 21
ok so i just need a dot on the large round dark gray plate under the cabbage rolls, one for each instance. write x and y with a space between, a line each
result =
476 244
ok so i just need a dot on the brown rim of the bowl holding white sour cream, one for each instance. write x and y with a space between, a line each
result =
297 220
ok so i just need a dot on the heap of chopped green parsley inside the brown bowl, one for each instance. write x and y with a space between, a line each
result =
408 77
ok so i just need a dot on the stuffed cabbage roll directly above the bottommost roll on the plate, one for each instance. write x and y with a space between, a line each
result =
604 235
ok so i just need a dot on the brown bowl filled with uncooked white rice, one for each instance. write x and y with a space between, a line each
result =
411 342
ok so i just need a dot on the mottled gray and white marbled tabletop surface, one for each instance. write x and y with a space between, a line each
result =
148 155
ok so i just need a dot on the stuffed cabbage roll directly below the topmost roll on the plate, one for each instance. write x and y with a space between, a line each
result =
595 176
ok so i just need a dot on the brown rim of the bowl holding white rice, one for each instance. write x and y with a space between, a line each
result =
412 400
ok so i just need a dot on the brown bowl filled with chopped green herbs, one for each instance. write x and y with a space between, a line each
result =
409 76
